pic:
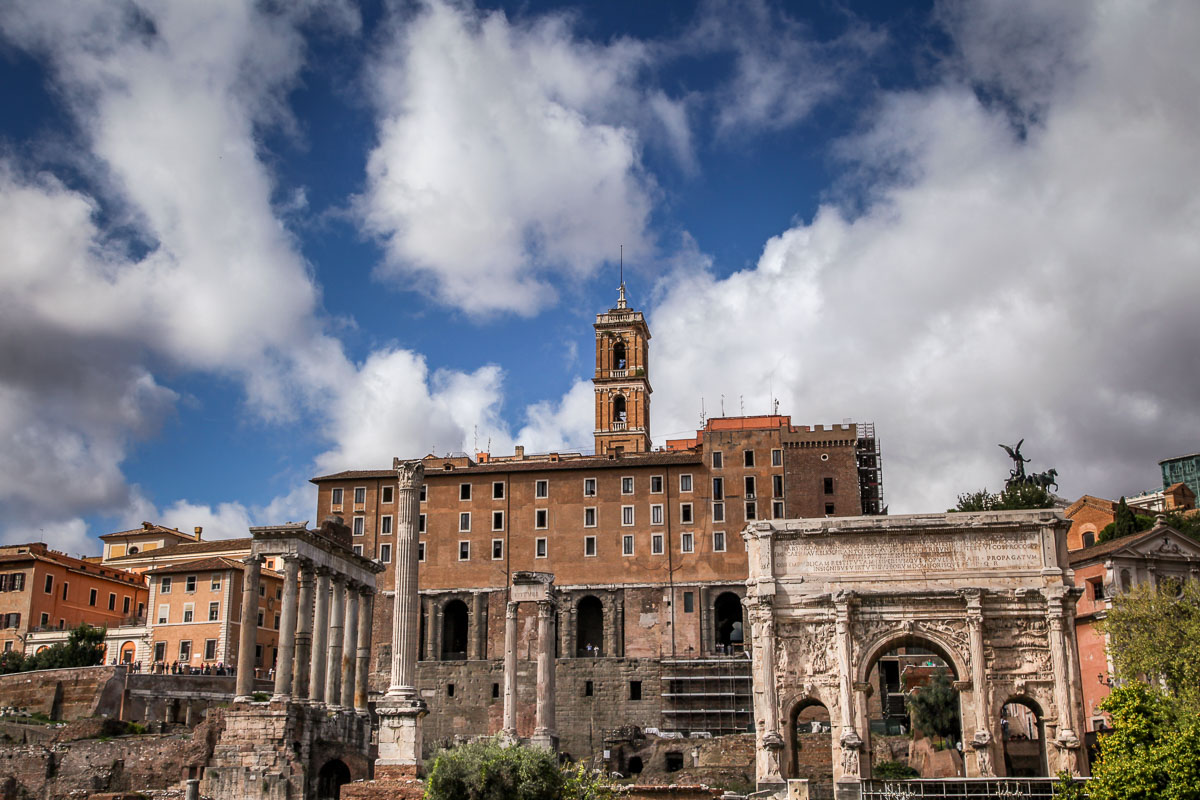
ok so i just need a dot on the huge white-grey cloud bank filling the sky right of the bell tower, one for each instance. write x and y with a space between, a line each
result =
1004 281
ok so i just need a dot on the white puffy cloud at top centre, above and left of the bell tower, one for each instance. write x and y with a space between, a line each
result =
501 164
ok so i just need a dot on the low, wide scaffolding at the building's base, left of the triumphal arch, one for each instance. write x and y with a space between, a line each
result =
707 696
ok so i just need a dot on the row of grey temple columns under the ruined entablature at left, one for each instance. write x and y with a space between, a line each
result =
325 639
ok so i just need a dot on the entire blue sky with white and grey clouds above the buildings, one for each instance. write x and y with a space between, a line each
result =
244 244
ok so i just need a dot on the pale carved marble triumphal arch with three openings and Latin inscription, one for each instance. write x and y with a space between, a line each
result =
989 594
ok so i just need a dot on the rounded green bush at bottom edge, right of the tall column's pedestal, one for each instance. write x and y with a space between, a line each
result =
493 771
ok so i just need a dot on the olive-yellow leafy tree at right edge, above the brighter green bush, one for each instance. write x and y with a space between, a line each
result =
1155 635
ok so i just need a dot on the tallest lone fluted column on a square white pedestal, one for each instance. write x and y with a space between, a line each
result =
401 709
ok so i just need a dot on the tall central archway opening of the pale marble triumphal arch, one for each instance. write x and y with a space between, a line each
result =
903 670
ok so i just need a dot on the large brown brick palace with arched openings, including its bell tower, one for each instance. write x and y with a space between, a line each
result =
645 546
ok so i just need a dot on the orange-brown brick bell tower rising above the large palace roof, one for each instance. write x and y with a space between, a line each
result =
622 381
